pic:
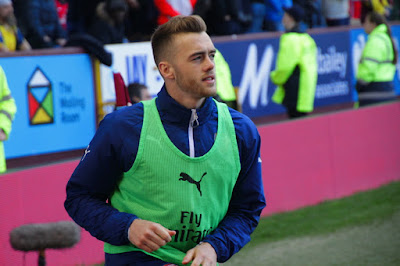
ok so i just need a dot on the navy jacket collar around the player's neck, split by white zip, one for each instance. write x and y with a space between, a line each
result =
171 111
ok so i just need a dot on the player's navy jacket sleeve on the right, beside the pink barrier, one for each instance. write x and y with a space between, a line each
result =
247 199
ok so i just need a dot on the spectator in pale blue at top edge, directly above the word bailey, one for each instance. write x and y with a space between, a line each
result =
336 13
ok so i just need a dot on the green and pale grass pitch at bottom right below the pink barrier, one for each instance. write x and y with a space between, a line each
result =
363 229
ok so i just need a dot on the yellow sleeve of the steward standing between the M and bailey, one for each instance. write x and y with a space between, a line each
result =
287 59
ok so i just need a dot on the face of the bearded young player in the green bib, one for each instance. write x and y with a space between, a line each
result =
193 64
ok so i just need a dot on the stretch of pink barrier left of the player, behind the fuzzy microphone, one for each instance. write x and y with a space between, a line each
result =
37 196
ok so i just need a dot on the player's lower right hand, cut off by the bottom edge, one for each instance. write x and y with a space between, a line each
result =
203 254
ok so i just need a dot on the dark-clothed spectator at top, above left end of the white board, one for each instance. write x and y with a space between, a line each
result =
108 26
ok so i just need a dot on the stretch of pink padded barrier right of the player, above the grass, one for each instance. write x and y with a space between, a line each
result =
330 156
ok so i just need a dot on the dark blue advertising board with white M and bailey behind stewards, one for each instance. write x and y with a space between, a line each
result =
251 62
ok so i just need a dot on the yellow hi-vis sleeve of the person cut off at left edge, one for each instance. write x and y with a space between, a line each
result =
7 105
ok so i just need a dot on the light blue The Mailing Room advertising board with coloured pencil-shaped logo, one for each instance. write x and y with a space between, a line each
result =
55 103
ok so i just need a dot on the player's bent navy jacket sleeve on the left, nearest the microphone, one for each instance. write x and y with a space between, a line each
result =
94 180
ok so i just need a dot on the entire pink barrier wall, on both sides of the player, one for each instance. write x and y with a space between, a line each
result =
304 162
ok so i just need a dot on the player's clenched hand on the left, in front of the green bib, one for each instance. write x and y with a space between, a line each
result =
149 236
